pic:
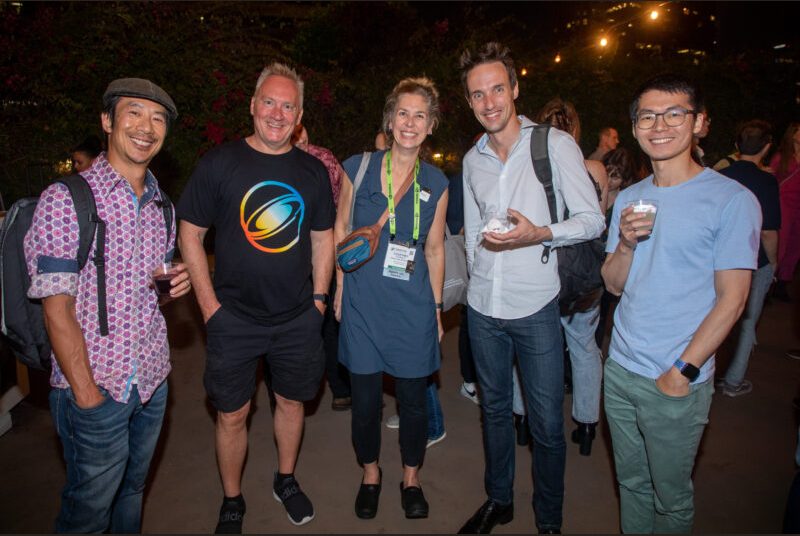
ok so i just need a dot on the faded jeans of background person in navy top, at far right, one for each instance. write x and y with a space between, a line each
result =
759 285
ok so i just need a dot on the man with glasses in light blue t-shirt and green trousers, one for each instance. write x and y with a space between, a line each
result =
683 280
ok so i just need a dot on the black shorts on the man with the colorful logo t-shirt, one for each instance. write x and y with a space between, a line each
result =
293 351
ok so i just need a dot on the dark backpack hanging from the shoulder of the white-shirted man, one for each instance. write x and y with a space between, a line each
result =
579 264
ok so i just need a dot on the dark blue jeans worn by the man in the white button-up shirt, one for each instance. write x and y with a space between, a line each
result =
536 341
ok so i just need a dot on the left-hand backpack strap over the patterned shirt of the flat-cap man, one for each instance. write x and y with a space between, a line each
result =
90 227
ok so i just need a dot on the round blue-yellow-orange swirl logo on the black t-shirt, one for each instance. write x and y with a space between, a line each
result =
271 215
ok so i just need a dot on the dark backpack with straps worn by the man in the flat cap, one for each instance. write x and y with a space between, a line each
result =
21 318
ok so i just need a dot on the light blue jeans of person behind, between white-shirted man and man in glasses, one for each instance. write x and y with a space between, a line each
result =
587 366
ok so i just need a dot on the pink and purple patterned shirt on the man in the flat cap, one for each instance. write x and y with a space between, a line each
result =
136 349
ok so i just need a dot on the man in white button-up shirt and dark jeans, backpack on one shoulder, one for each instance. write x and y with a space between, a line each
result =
513 295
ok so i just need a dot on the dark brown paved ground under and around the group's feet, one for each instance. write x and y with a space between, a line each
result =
742 476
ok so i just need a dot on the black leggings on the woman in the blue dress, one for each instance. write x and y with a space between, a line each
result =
367 392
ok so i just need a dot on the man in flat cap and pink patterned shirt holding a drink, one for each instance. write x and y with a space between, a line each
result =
109 388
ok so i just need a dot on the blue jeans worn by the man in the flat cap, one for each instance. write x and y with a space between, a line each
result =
107 450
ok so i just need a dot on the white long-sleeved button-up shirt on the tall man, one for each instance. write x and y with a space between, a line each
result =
514 283
